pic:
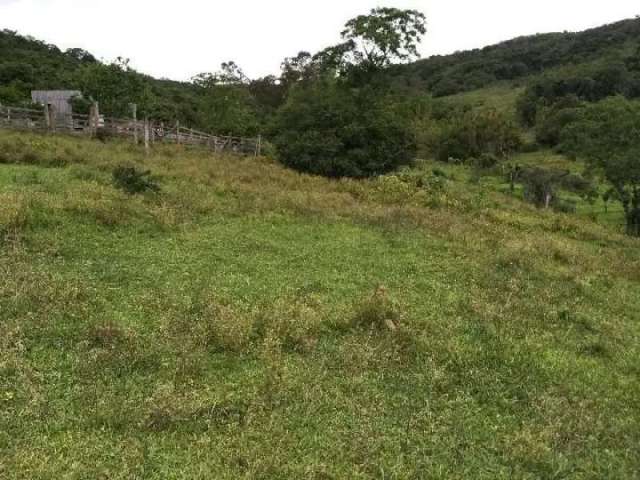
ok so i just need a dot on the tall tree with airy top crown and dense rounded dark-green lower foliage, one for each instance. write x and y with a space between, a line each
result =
336 121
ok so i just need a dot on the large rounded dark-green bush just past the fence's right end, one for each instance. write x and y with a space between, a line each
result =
329 129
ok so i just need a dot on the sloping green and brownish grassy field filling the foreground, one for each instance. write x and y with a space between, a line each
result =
250 322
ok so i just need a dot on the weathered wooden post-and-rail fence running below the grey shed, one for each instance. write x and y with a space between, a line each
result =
147 132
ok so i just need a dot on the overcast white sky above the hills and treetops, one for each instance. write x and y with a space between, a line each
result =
180 38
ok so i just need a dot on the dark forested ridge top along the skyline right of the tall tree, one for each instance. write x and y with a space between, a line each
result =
520 57
